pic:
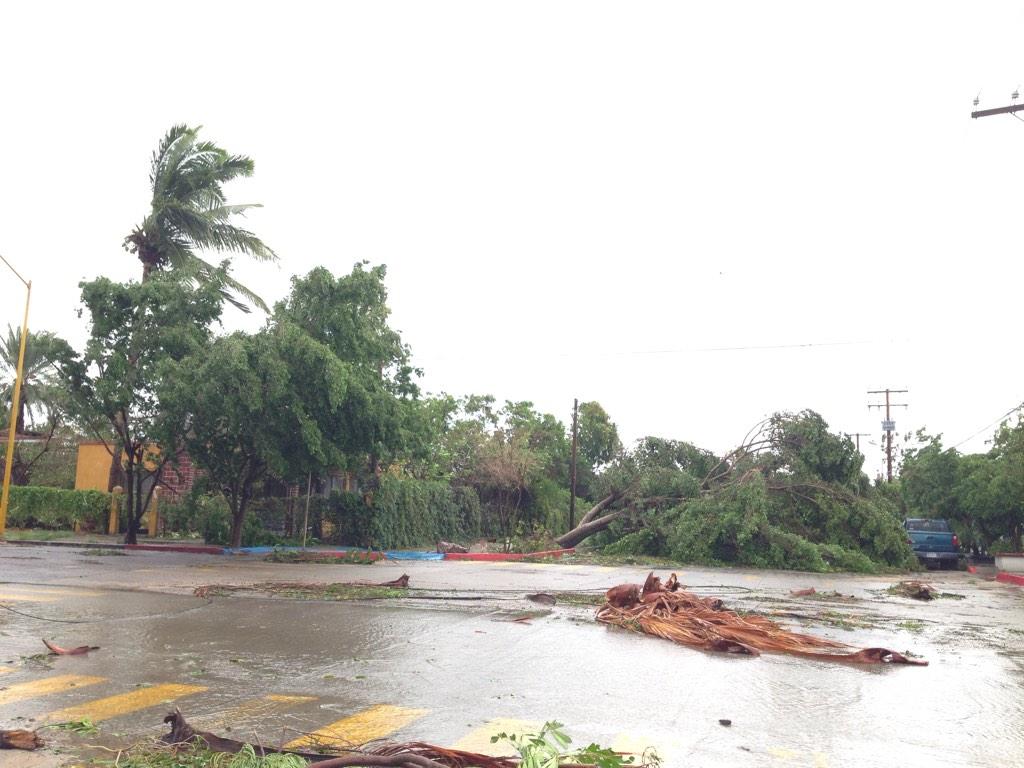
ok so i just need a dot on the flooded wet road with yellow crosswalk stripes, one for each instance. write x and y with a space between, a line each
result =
453 672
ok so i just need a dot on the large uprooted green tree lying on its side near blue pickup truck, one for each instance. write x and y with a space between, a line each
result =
791 495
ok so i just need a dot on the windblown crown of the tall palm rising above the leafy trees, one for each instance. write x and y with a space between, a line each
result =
190 216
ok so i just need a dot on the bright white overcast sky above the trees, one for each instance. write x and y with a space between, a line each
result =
695 214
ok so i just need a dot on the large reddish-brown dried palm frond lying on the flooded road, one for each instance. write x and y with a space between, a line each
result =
672 614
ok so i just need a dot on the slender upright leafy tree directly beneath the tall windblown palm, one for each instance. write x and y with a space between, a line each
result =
136 331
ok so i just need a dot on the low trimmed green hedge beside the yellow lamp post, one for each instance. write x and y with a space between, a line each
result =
41 507
